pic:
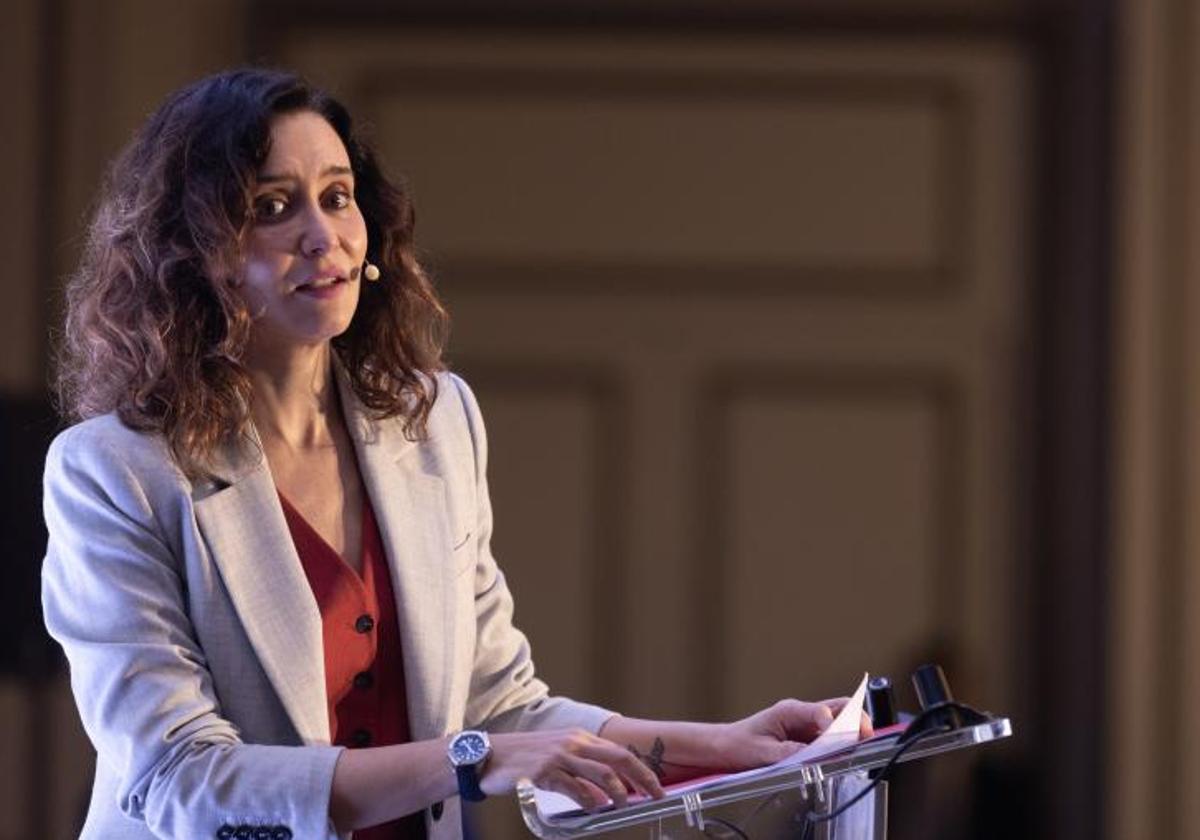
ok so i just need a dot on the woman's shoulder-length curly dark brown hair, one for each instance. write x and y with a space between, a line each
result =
155 329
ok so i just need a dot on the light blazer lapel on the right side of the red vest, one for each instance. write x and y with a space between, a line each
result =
411 508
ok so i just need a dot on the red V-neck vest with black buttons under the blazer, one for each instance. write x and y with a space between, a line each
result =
364 663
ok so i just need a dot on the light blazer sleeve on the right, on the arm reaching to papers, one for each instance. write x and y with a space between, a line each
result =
506 694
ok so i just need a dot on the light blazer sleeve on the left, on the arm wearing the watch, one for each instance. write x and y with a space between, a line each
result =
115 599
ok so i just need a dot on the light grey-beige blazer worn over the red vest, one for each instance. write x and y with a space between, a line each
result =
195 641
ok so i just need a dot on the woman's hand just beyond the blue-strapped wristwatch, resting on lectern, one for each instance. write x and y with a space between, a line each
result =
585 767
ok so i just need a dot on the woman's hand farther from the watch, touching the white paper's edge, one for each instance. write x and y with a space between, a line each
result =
781 730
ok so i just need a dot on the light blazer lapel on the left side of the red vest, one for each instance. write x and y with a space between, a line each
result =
244 527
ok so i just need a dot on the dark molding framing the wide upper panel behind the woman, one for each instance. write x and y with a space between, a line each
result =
941 97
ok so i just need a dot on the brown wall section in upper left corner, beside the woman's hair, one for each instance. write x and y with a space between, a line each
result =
86 75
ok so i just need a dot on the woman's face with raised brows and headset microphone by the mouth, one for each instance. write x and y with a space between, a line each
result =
307 243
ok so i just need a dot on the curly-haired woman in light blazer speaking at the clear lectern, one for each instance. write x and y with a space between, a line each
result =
269 559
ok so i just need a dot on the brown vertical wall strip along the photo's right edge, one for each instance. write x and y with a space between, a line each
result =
1155 637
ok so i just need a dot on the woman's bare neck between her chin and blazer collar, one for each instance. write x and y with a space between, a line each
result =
296 400
